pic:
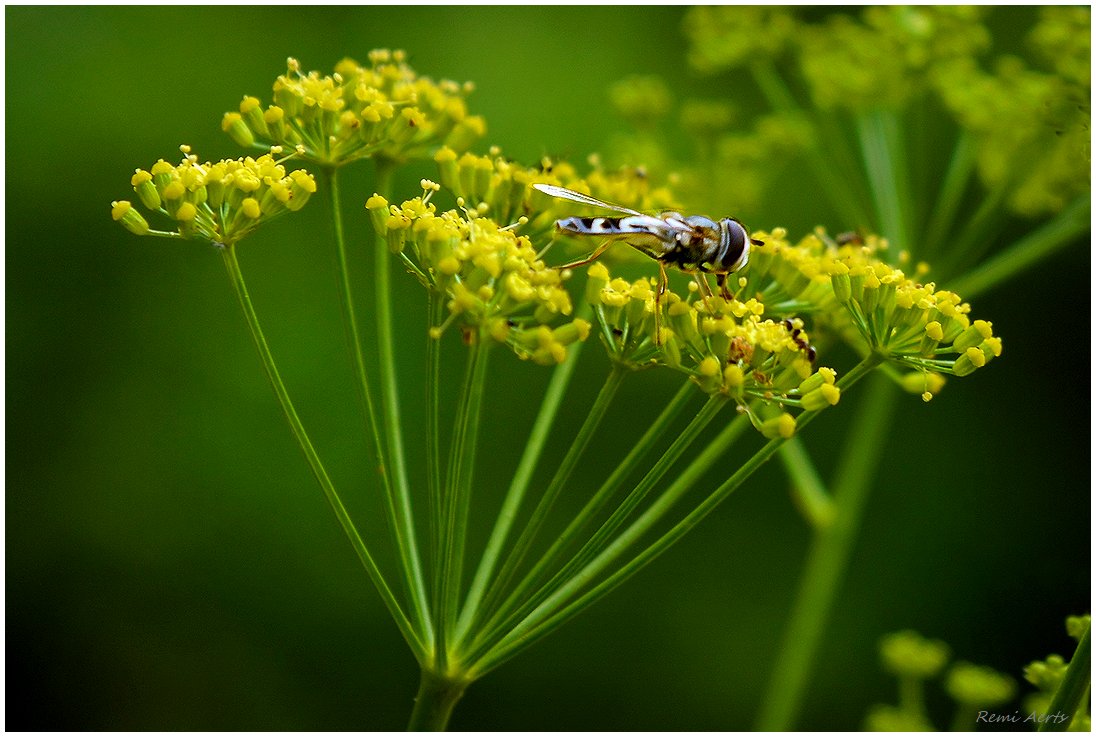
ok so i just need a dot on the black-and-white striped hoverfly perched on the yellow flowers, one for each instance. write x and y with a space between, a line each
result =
694 245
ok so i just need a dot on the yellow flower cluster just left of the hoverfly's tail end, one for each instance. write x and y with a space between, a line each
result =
492 278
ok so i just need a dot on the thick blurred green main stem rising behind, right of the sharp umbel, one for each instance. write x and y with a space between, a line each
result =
829 557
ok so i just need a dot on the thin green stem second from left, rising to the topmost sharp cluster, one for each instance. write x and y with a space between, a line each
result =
399 514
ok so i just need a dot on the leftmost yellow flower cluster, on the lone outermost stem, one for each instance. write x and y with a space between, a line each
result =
220 202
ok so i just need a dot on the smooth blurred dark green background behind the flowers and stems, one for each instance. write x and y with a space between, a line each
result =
170 562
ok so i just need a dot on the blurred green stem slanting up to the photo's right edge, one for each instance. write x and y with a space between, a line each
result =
1065 230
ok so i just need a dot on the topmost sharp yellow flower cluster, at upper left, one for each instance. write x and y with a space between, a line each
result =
384 110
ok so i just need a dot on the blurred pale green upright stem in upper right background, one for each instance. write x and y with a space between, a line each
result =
884 152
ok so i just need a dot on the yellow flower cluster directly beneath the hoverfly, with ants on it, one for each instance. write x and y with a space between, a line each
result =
725 346
